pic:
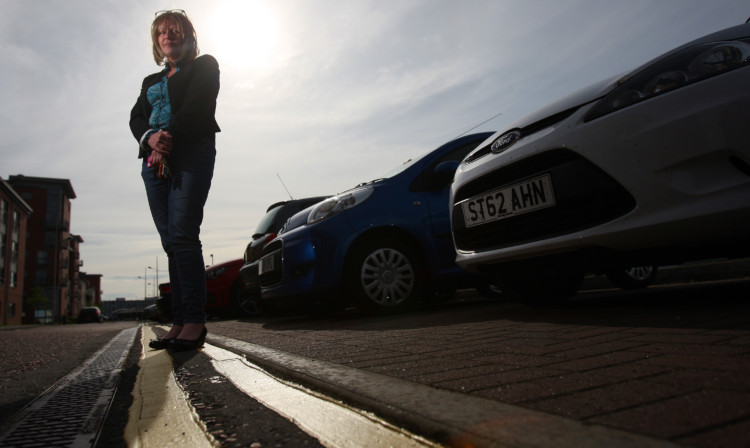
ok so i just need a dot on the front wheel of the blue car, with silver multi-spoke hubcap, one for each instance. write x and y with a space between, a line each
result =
385 275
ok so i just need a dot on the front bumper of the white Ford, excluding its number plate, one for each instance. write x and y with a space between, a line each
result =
669 175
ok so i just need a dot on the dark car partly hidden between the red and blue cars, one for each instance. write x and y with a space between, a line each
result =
276 215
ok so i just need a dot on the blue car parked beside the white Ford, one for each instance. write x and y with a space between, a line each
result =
384 245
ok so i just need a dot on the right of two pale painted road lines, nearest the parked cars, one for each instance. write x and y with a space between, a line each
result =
331 422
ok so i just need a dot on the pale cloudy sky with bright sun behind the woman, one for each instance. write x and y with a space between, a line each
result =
318 94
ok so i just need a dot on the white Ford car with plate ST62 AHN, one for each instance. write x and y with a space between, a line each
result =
650 168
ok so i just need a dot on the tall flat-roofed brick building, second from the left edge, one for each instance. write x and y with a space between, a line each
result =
53 252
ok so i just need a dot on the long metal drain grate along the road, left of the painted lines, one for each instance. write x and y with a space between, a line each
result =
71 413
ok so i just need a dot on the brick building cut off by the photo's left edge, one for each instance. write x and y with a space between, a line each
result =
14 212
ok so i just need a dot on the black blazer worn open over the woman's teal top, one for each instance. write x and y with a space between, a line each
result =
192 94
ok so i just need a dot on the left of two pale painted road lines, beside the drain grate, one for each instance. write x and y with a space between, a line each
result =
160 414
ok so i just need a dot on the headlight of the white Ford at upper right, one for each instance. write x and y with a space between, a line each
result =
682 68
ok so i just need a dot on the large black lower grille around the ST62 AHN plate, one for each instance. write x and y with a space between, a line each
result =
585 196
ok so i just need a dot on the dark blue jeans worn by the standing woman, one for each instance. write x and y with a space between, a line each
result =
177 208
